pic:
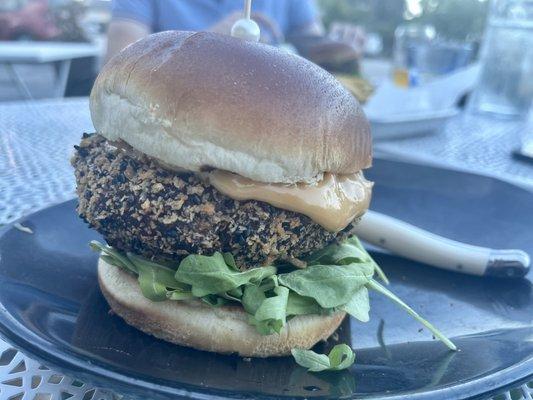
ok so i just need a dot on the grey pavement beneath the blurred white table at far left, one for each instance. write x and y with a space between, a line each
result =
38 78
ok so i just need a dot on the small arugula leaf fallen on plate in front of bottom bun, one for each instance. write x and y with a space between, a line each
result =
340 357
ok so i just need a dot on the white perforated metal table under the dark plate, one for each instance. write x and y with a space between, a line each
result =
36 140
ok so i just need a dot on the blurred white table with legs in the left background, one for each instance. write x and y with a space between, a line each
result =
60 53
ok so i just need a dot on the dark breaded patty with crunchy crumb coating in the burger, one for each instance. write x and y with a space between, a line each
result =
141 207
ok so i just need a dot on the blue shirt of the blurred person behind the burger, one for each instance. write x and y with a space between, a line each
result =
197 15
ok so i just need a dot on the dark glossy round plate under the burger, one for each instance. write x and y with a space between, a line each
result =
51 307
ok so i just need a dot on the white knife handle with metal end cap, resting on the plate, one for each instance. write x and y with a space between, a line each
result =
419 245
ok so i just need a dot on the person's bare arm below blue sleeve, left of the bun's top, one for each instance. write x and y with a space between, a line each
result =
123 32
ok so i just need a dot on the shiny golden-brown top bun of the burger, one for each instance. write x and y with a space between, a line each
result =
195 100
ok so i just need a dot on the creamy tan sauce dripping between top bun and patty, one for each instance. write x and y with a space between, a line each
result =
333 202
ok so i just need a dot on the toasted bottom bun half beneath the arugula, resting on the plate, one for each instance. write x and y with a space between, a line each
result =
195 324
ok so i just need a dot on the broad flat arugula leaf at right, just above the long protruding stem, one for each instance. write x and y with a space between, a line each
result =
330 285
